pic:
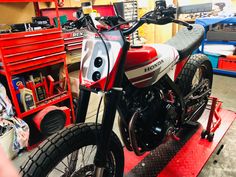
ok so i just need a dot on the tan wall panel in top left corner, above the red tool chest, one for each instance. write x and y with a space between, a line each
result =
16 12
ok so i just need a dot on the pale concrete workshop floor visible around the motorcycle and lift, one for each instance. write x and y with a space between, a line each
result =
222 163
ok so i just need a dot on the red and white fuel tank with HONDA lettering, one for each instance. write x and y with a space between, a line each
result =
146 65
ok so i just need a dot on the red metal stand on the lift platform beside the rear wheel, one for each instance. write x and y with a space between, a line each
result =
214 120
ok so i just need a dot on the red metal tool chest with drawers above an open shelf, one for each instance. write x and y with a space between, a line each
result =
28 51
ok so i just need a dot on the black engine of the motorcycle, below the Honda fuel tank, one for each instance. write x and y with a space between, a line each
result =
157 114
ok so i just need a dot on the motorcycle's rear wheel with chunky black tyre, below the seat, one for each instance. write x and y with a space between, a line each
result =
196 75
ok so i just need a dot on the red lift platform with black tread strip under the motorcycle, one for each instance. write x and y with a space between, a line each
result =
180 158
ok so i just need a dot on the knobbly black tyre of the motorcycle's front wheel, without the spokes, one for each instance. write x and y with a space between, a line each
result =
46 155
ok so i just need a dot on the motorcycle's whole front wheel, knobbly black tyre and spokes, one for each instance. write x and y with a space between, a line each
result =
71 152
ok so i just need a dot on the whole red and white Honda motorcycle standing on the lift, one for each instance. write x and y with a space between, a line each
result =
156 88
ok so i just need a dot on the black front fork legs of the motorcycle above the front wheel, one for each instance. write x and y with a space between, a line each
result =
110 104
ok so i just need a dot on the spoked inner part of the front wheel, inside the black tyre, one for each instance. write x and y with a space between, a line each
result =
80 164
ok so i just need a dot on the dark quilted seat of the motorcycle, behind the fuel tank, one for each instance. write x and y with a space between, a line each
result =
186 41
